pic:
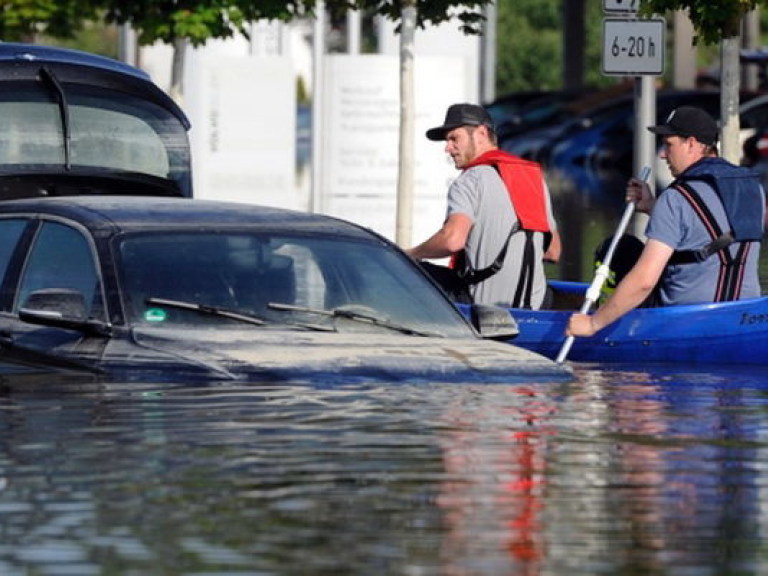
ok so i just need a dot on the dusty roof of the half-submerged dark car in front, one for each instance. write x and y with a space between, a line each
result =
130 213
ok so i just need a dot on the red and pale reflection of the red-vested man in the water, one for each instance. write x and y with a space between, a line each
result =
495 461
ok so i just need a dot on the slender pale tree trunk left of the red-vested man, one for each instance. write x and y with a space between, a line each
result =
405 176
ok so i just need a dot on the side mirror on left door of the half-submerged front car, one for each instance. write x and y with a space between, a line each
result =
60 308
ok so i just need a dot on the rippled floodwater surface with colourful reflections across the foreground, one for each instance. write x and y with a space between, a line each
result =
625 470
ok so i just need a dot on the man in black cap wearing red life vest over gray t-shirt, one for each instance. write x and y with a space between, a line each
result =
499 225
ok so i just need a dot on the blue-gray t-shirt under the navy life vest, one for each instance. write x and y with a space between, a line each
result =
674 223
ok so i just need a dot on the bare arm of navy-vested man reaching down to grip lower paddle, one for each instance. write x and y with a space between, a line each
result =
636 286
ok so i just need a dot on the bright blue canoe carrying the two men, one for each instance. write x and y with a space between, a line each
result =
717 333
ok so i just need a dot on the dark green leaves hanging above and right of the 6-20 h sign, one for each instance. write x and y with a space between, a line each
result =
713 20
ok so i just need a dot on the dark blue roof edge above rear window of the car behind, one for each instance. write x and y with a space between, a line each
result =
20 61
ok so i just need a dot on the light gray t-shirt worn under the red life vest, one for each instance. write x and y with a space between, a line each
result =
479 193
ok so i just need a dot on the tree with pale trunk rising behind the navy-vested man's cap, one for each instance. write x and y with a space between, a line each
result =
716 21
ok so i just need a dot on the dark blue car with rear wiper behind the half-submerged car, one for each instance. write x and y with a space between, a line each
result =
76 123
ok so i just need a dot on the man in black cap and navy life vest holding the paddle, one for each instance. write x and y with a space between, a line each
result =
704 231
